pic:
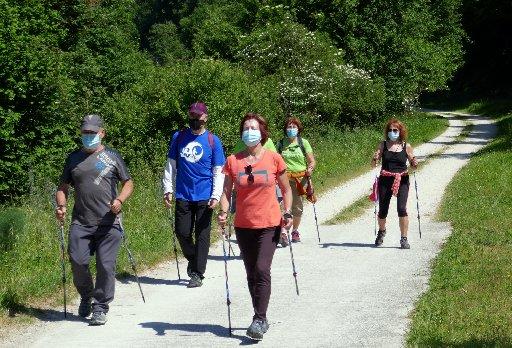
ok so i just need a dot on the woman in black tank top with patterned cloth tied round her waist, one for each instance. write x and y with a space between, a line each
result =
394 179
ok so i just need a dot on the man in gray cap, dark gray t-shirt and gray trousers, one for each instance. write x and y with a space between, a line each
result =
94 171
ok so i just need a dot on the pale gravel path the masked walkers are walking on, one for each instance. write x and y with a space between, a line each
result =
352 294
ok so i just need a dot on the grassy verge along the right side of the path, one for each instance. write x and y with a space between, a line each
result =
469 298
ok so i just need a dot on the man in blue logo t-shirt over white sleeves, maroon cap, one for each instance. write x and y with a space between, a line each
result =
194 174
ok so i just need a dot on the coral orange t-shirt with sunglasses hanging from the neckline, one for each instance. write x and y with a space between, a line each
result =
256 203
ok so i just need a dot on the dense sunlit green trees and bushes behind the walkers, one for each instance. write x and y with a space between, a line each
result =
140 63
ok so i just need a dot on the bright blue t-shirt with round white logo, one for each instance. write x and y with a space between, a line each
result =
196 156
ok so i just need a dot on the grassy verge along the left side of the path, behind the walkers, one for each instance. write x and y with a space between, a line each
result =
29 249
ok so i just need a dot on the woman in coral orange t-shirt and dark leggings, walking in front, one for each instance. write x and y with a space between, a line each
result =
254 172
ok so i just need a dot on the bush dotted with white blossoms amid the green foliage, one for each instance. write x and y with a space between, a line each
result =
314 81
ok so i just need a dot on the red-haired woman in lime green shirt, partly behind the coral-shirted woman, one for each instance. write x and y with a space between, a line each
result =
300 163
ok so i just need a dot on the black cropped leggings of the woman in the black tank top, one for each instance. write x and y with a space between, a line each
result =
385 193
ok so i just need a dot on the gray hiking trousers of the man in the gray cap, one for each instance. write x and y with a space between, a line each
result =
84 242
